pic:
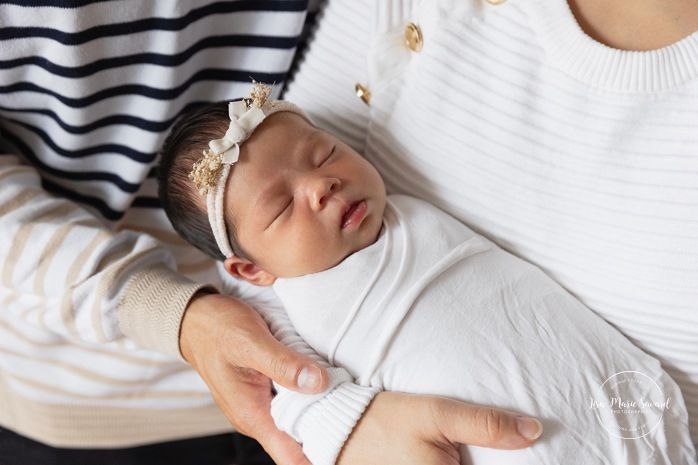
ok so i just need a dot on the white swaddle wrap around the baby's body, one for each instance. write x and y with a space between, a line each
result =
434 308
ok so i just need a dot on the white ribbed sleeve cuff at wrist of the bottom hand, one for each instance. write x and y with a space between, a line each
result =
326 426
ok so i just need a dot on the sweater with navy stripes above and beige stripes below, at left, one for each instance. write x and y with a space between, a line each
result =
93 279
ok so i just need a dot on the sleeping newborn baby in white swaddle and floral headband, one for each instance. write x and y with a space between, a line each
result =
406 297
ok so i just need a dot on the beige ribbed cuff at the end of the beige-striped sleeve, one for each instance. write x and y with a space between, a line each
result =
152 306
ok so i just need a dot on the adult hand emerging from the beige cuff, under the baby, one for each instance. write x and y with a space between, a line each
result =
231 347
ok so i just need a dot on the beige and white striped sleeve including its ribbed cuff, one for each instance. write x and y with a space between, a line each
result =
87 281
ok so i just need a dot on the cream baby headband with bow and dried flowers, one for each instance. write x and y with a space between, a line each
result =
210 174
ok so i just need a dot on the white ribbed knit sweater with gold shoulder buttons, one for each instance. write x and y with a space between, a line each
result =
577 157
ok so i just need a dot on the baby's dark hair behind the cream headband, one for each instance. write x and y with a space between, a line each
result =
183 147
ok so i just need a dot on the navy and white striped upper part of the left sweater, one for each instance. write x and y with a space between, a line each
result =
88 106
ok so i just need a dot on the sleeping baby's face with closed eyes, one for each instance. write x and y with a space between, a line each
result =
300 199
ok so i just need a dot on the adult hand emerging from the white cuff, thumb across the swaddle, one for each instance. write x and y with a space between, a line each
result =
426 430
